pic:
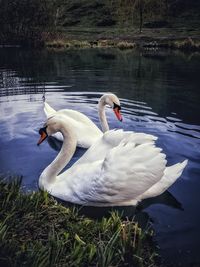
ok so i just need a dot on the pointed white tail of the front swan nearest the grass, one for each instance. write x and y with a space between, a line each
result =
171 174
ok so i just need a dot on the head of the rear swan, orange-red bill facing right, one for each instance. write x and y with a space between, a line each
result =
112 101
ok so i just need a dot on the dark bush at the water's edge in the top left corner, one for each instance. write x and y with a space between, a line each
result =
25 21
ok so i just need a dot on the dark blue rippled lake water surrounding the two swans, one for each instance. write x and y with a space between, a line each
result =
159 93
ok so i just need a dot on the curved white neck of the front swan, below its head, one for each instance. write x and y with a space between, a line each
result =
51 172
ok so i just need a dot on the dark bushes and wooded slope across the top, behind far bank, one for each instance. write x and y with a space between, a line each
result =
33 22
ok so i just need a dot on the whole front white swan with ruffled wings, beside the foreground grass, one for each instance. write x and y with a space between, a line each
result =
121 168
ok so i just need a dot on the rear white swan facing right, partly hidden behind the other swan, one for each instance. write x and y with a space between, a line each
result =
86 131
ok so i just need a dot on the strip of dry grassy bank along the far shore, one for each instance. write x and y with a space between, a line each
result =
125 38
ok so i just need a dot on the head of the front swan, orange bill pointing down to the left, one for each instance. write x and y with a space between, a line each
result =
52 126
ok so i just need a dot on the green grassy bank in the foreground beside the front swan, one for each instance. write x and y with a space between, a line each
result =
35 230
